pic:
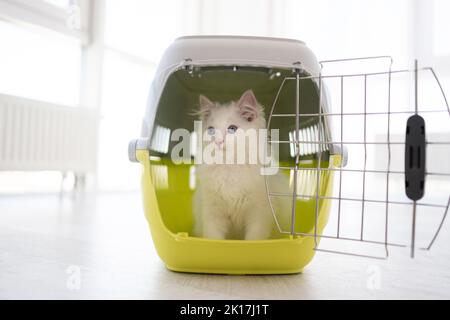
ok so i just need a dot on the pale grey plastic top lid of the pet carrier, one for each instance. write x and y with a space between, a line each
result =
226 50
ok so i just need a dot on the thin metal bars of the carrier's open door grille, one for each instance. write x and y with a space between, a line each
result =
320 141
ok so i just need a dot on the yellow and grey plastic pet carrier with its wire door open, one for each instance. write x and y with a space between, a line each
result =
289 83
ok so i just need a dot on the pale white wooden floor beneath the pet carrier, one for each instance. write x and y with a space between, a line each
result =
45 242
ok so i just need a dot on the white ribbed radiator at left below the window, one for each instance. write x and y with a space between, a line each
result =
36 135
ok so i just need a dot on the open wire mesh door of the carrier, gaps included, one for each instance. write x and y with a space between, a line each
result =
385 149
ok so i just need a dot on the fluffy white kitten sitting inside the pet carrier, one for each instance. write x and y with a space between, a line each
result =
231 201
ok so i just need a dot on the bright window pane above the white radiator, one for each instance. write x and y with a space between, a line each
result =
39 64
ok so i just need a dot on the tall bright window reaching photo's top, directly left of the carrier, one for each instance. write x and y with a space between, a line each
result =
128 67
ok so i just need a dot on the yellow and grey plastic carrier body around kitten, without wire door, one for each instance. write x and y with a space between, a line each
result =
199 65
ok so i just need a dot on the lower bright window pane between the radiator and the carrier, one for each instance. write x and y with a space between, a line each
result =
124 94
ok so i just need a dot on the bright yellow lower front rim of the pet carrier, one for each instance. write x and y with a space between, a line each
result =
180 252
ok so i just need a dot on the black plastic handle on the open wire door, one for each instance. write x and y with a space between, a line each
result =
415 157
